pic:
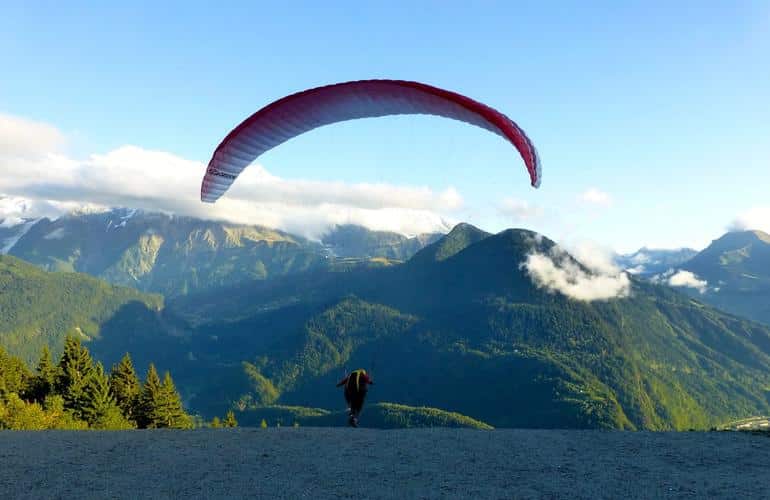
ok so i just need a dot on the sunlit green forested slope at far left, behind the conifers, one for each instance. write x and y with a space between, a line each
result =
39 308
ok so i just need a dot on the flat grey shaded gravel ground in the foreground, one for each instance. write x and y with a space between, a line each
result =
365 463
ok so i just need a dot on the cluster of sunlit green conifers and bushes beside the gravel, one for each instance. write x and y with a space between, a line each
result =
76 393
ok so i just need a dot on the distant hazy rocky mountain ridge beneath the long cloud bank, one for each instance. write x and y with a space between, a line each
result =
173 255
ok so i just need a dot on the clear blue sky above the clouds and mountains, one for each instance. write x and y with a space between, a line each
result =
659 111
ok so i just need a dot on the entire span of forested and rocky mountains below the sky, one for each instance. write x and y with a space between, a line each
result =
266 322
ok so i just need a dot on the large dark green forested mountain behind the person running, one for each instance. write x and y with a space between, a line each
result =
471 333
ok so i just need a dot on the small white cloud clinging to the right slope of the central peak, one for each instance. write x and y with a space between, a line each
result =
598 279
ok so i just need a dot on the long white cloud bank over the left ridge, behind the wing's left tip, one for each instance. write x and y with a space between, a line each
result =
152 180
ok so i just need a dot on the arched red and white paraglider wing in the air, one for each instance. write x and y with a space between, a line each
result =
298 113
